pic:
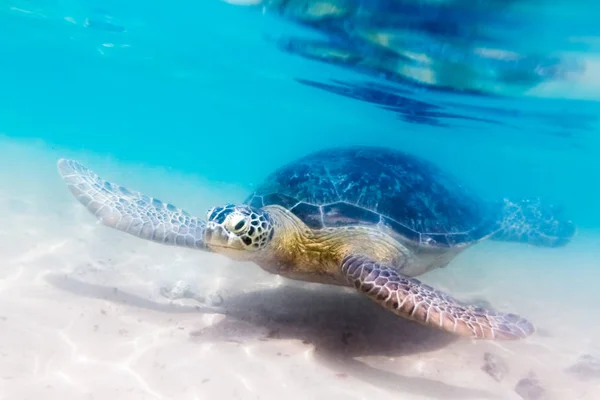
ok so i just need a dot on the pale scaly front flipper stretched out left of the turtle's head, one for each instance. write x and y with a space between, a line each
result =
132 212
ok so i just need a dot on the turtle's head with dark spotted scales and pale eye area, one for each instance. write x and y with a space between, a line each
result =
238 229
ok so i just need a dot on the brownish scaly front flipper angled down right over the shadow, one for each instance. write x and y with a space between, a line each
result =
411 299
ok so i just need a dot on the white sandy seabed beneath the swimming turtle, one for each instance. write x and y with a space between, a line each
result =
82 315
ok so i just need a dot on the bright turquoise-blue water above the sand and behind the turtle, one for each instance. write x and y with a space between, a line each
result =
228 93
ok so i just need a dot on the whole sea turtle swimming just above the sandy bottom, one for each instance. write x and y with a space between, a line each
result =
365 217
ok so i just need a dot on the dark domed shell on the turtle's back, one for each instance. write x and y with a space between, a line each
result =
393 190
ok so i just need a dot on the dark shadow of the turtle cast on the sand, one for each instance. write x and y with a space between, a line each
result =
340 324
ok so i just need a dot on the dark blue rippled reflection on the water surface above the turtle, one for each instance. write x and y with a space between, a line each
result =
458 45
